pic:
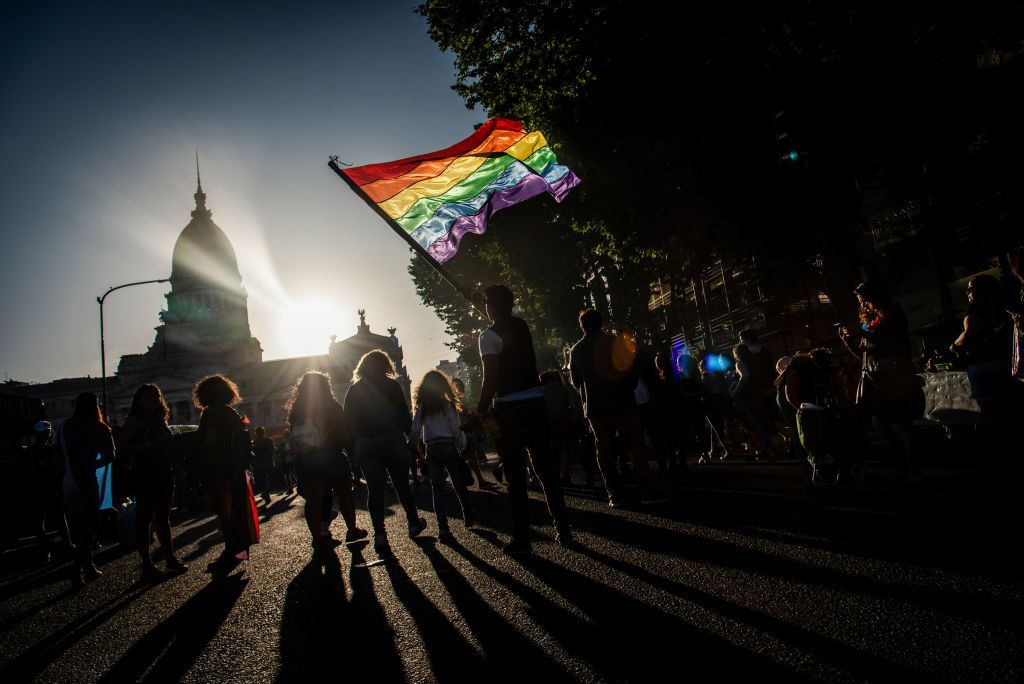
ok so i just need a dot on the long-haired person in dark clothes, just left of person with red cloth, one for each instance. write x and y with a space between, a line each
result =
144 440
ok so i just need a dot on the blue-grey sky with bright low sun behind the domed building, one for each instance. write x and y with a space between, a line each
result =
103 108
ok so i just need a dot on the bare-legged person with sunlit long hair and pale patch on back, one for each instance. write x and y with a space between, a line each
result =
319 438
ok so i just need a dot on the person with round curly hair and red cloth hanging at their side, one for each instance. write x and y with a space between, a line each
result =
226 452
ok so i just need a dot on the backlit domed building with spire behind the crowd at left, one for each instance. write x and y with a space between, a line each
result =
205 330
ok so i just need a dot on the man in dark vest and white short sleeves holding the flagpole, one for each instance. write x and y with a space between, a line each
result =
511 393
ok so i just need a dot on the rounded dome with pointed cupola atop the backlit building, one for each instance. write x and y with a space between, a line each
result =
203 255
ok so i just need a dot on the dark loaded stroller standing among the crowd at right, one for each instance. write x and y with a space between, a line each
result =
826 425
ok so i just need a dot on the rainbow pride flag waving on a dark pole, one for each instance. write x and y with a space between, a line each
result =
438 198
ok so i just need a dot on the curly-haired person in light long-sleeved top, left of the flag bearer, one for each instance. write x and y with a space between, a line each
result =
437 424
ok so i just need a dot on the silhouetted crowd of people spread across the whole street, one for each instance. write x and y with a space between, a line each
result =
621 414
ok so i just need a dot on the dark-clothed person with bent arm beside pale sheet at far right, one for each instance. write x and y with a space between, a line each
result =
985 348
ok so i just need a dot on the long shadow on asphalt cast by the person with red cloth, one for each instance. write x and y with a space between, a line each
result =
169 650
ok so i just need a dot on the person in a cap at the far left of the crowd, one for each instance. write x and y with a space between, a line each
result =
44 469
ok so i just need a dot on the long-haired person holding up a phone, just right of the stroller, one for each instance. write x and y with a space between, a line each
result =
890 391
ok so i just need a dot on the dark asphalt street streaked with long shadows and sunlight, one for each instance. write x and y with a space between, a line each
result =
747 571
